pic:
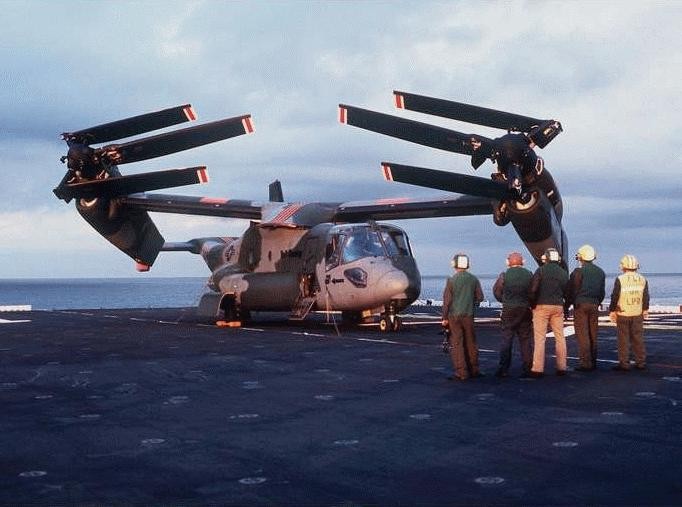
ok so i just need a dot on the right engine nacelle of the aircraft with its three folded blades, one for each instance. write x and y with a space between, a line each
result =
522 190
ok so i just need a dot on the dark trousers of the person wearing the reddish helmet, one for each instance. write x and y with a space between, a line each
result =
516 322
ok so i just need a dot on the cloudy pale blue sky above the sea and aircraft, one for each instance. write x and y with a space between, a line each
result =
609 71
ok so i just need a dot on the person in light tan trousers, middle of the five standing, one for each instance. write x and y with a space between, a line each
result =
547 295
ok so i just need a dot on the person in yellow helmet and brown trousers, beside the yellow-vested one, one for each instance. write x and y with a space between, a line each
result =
586 291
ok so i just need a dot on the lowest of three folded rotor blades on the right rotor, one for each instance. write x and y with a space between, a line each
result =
443 180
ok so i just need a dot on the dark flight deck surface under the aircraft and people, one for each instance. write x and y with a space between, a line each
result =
158 407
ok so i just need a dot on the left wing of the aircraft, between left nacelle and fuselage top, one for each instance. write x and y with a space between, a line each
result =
192 205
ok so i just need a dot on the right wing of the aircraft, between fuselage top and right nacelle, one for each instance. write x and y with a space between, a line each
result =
448 205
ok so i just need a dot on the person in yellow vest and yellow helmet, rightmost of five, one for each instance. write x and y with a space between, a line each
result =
628 309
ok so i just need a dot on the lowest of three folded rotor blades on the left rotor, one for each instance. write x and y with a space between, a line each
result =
116 186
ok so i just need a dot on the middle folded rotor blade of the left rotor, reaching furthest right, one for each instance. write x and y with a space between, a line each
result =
178 140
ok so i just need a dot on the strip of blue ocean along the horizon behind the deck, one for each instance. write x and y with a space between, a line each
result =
92 293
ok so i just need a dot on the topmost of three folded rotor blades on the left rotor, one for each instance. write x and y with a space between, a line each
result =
133 126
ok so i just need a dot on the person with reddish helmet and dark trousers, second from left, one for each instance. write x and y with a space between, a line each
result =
511 289
